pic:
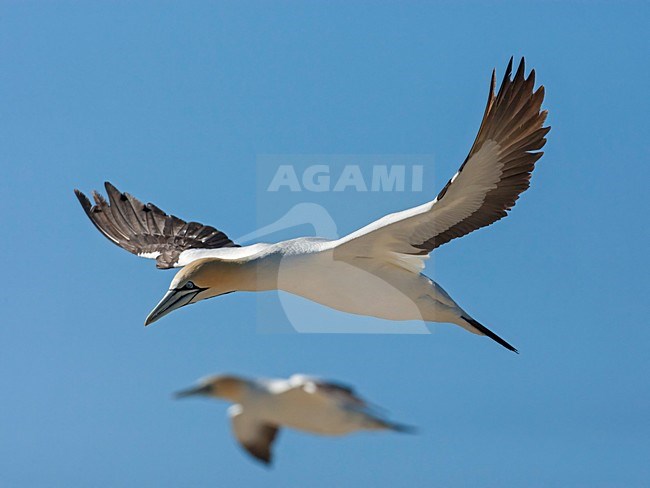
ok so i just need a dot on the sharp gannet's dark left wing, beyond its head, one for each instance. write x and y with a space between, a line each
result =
147 231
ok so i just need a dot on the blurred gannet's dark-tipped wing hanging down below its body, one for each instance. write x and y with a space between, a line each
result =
255 436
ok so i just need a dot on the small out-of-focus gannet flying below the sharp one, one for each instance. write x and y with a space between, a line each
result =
263 406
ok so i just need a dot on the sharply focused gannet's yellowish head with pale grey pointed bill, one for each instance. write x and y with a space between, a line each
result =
201 279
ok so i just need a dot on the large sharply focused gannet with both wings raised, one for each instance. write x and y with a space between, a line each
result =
375 271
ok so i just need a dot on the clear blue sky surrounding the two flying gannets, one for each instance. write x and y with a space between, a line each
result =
176 102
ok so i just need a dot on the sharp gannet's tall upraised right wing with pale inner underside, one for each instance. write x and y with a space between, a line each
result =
494 174
